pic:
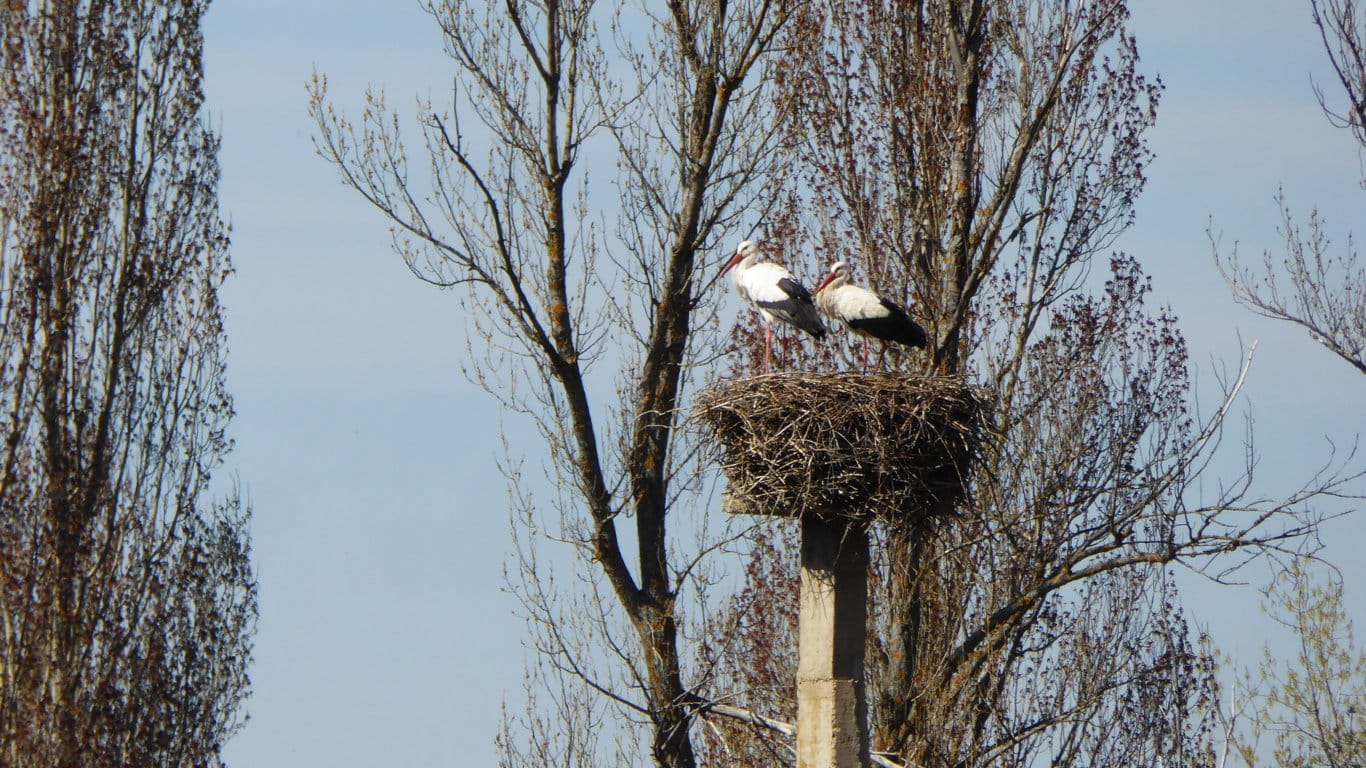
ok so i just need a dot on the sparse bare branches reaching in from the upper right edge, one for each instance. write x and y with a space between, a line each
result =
1312 284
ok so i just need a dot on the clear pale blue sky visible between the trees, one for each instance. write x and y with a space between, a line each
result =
380 527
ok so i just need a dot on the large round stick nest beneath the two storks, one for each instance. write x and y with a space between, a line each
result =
887 446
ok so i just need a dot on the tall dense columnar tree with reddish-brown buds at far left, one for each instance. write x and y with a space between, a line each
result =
126 596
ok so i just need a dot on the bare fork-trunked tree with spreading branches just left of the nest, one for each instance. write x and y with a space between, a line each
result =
507 212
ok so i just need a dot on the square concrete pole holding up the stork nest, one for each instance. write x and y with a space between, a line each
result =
831 703
